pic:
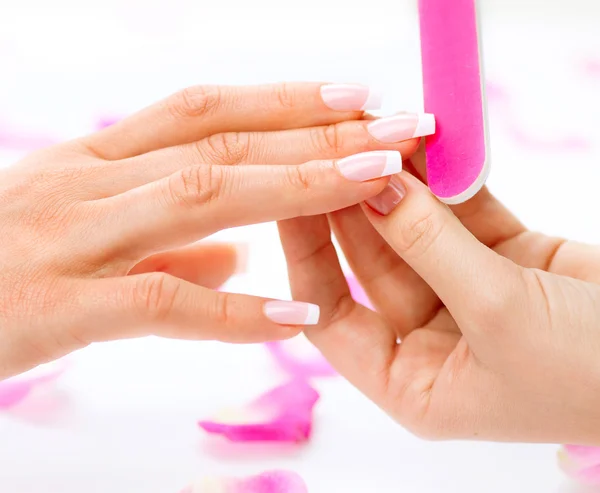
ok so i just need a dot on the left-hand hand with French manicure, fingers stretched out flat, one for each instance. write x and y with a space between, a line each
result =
96 233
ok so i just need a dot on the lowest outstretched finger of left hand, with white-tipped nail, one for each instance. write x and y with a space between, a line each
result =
162 305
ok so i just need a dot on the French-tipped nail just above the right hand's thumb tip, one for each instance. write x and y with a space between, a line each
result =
370 165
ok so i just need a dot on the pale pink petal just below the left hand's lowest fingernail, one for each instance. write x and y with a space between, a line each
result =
296 363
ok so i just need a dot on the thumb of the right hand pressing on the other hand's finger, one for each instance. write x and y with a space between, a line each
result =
466 275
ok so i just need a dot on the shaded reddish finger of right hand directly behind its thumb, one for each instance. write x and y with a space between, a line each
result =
394 288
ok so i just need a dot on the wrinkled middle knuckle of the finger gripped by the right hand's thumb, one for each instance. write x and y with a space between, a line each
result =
196 185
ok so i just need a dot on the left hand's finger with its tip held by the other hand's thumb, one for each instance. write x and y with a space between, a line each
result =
202 200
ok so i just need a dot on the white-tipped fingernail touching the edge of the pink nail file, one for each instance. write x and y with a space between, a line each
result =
402 127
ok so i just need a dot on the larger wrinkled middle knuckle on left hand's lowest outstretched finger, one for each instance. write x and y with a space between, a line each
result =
155 295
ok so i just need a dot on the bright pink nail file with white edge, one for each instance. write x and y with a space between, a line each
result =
457 155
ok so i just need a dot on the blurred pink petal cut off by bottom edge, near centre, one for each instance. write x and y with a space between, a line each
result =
267 482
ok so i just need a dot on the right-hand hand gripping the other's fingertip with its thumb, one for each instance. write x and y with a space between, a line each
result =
483 329
